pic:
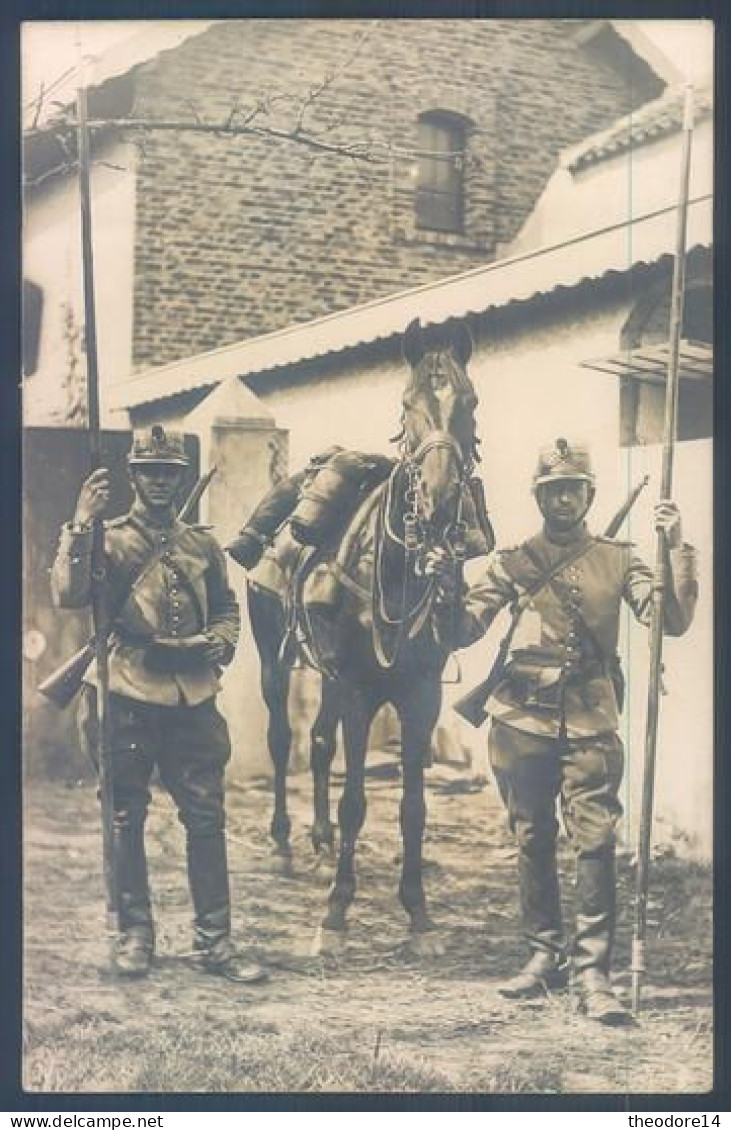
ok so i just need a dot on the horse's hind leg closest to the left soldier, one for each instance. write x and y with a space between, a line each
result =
268 628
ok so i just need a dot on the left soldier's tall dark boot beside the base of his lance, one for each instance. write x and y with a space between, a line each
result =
136 943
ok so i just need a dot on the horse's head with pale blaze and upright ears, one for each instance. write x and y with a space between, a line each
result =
439 416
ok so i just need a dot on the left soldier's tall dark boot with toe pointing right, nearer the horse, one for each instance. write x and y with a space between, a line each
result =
208 879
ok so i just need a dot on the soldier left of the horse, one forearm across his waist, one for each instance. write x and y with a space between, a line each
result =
176 624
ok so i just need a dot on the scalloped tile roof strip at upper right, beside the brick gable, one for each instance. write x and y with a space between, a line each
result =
651 121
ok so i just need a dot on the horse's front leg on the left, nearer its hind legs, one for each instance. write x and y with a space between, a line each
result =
356 725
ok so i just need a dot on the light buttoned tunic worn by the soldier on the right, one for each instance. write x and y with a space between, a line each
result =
563 667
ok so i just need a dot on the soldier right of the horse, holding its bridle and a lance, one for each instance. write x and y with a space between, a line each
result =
555 705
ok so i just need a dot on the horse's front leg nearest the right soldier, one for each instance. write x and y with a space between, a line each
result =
419 714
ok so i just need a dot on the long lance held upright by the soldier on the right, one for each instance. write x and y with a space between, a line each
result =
660 578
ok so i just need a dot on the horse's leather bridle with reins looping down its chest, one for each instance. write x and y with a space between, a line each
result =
415 609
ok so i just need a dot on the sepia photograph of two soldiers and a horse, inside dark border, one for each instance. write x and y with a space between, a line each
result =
368 620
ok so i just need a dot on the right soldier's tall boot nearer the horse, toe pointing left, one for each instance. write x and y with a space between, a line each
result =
541 911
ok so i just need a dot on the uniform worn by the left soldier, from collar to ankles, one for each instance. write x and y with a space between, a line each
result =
162 717
